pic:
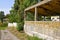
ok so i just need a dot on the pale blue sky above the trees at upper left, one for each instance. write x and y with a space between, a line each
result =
5 5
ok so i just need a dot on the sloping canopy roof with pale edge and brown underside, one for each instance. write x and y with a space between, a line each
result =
46 7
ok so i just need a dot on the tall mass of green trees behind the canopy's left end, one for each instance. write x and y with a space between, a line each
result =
17 12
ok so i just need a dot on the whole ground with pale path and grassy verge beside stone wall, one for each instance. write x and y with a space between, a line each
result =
11 33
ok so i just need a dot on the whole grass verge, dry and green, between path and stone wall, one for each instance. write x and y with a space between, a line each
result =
22 35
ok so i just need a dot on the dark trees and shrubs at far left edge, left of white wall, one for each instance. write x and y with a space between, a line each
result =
3 23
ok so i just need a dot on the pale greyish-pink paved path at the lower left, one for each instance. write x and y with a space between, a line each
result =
6 35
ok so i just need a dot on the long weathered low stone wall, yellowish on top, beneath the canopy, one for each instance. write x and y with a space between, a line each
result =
48 28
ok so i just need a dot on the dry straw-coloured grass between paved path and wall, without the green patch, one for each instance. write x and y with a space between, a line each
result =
21 35
